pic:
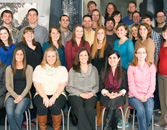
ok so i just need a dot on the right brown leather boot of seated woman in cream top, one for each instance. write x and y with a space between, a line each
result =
56 121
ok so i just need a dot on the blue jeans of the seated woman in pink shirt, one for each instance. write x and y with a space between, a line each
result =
144 111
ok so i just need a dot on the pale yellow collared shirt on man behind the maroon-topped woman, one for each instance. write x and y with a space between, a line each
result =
89 36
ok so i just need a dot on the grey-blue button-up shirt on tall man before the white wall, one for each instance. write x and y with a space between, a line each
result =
40 34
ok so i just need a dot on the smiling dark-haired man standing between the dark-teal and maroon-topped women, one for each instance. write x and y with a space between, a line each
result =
66 34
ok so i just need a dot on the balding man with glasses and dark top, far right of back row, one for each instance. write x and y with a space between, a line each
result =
160 18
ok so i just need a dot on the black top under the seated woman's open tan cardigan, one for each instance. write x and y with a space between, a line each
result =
19 82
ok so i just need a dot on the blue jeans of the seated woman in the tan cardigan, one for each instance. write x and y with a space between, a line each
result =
15 112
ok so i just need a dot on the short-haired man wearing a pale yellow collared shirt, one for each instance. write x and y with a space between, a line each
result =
88 31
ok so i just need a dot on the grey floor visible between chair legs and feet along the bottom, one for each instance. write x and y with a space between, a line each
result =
75 128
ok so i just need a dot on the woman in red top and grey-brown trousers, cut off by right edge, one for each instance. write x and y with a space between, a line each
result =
162 80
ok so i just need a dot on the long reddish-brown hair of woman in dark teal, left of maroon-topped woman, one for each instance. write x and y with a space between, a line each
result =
50 39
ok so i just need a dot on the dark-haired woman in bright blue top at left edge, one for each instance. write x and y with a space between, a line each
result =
6 46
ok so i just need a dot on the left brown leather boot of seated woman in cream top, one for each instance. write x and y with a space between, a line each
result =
42 120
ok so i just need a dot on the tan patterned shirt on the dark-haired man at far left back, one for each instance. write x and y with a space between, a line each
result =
14 33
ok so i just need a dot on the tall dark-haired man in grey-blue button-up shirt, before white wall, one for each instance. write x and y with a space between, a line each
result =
40 32
